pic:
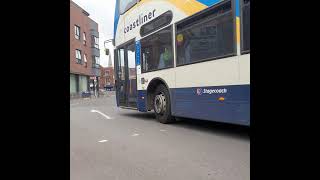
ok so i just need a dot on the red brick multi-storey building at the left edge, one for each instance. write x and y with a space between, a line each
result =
84 51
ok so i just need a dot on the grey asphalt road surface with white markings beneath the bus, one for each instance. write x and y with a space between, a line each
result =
108 142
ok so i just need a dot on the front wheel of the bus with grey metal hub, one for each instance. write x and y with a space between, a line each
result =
162 106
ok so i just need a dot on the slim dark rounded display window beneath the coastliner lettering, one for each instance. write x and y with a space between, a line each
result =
161 21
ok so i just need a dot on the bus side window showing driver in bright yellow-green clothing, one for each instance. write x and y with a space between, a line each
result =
156 50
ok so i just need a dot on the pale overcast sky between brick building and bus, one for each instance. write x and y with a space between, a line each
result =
102 12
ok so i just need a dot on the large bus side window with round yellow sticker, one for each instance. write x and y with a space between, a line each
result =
206 36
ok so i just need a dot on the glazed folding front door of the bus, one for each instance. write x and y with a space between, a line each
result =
126 85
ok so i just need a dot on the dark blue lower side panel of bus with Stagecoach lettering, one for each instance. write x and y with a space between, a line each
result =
205 103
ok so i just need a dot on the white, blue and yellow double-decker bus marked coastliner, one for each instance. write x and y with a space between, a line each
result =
184 58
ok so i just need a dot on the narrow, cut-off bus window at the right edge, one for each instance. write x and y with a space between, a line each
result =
245 26
